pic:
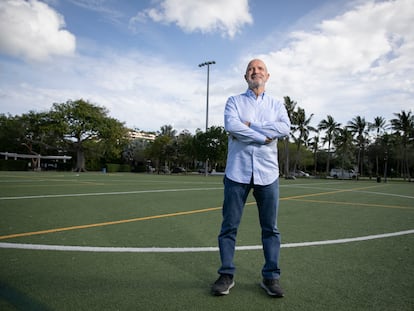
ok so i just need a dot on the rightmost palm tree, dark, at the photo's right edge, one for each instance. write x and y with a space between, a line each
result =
404 126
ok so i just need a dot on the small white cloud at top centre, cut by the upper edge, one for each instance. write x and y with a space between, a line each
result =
207 16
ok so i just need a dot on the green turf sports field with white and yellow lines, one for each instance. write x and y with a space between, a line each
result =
148 242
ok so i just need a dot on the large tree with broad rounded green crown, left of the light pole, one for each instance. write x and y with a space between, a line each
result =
84 127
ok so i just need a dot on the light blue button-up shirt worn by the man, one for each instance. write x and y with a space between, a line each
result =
248 154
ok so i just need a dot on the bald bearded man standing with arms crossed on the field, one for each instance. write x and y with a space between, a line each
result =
254 122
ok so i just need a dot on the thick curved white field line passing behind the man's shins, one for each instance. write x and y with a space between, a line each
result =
188 249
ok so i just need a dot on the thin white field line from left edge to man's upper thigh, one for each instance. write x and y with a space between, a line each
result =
105 193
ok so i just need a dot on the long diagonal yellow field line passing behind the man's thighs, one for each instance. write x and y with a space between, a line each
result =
117 222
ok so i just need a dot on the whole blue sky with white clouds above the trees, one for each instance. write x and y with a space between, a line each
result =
139 59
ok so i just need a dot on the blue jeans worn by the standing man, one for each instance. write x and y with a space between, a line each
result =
267 199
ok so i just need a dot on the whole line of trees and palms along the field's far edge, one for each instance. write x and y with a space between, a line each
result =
95 139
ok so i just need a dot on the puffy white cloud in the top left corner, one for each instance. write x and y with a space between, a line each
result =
32 30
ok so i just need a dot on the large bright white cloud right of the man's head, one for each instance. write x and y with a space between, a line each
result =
352 64
